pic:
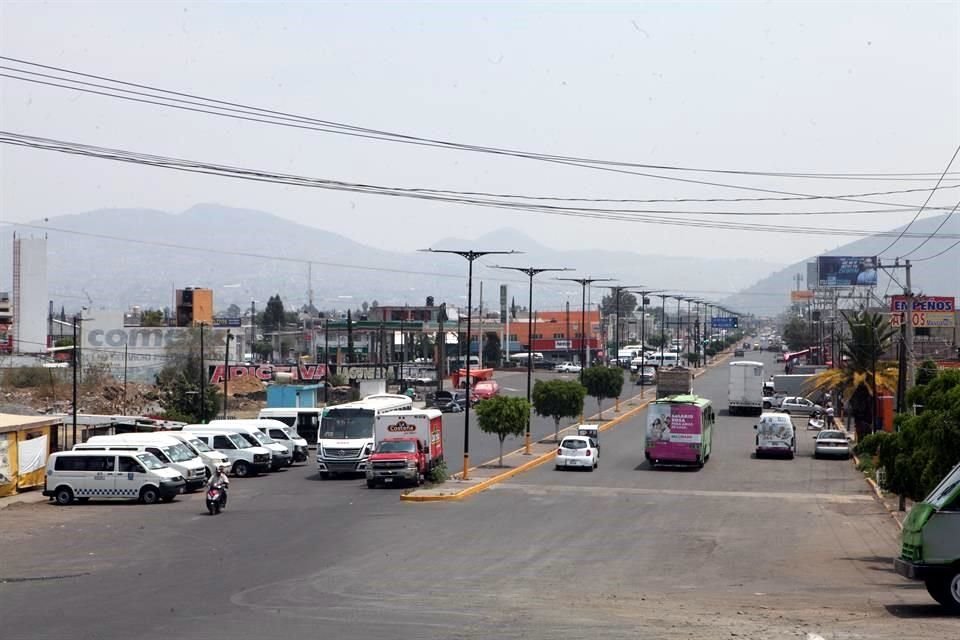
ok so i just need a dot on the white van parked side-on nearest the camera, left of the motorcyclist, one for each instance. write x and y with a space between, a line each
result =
82 475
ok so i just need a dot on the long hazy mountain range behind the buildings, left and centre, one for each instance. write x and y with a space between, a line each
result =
268 255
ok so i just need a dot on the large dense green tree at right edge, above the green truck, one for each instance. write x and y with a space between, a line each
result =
925 446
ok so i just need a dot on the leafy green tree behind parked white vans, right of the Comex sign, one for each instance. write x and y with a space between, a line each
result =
178 382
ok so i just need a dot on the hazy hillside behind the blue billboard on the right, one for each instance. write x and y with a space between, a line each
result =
939 276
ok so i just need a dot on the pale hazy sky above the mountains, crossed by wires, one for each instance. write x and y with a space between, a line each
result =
786 87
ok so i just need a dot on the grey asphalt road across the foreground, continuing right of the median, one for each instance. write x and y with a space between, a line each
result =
742 548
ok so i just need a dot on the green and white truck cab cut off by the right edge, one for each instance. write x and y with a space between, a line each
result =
931 543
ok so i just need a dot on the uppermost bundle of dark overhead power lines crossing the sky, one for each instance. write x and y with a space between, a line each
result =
189 101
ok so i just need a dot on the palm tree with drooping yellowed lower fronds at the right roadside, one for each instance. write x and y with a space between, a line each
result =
861 371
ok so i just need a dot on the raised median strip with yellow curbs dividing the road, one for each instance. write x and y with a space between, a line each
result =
488 474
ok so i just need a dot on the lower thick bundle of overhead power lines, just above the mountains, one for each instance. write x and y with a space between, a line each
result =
624 215
